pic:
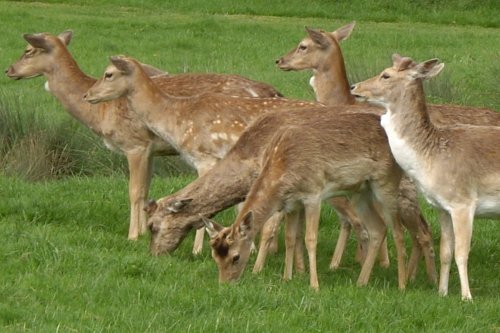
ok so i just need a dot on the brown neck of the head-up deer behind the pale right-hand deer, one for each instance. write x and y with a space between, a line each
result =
330 82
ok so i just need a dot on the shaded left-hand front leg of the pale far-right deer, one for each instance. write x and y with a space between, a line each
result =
445 251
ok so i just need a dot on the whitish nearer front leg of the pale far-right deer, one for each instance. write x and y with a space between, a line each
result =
462 220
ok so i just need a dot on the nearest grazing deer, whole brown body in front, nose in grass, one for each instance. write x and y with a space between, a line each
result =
304 164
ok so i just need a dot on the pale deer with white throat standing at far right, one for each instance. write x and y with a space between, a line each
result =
455 167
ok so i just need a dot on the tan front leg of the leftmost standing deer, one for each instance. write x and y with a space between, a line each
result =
140 170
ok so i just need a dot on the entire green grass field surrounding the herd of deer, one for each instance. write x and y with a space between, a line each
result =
65 263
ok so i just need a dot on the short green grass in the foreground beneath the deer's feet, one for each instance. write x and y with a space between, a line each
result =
66 264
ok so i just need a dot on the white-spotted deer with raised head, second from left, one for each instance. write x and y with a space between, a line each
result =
202 128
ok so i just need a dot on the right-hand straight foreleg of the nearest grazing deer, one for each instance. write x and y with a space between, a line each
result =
312 211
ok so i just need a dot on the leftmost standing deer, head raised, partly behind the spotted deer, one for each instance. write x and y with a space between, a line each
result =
48 55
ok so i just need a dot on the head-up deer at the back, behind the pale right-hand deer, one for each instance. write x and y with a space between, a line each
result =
320 52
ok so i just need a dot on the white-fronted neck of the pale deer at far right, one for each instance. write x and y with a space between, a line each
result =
412 136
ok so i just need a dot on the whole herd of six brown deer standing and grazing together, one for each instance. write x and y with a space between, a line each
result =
368 149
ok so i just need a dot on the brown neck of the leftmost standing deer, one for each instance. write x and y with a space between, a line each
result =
68 84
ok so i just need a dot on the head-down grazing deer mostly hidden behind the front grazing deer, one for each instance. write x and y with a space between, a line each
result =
229 181
